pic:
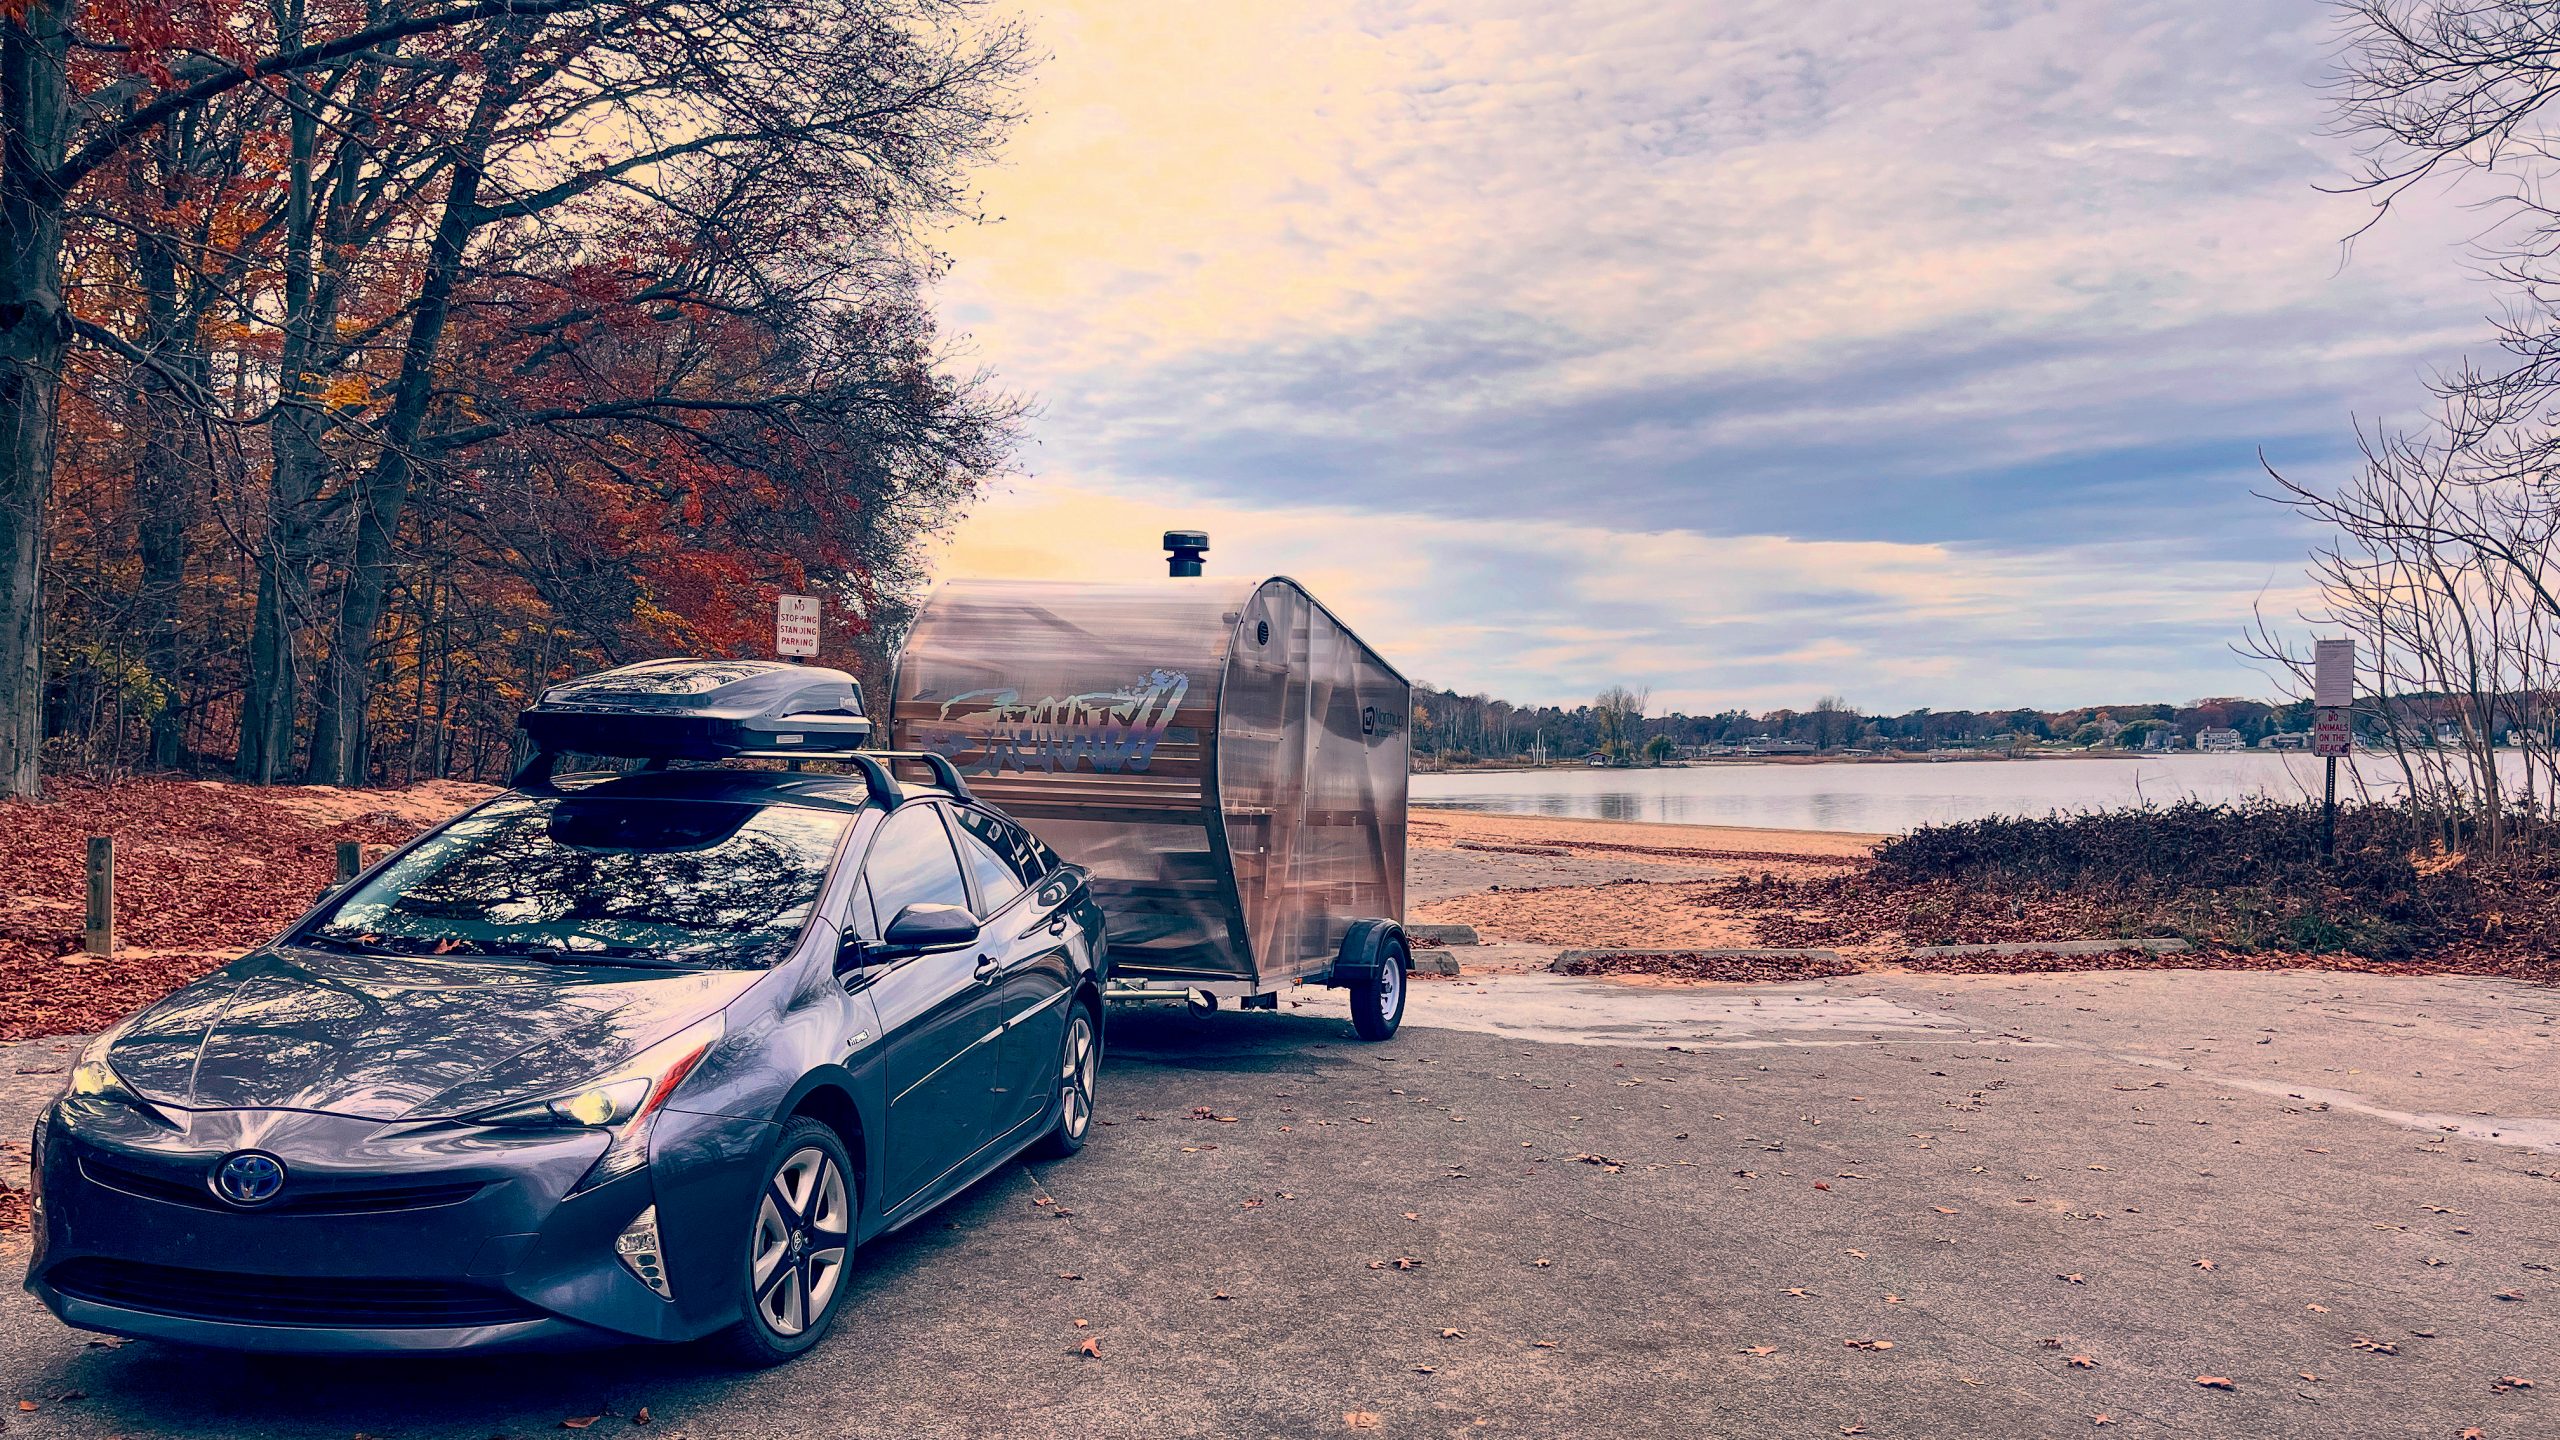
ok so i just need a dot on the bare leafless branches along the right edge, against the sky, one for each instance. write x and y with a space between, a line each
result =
2446 544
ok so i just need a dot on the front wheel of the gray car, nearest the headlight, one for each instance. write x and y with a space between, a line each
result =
797 1247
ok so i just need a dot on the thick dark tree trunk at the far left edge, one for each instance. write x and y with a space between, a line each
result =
35 334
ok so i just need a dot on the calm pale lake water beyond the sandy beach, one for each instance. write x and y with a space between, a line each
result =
1885 796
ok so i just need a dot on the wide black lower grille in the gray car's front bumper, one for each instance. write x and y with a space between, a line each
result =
285 1300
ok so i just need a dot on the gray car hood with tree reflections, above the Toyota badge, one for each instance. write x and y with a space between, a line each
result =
401 1039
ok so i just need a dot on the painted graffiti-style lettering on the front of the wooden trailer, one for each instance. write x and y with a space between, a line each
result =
995 732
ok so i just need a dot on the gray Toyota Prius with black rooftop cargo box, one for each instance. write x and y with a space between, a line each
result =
613 1057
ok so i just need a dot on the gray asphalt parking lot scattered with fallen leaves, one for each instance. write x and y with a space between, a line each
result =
1568 1208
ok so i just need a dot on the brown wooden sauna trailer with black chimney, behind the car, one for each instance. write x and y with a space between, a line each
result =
1228 760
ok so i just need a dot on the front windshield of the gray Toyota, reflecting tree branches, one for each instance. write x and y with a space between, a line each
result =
600 880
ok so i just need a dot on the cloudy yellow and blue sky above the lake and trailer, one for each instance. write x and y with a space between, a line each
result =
1750 350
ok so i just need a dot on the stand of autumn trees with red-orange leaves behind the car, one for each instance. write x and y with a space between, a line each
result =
370 363
